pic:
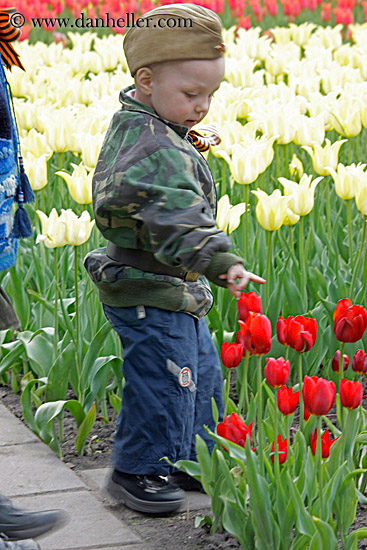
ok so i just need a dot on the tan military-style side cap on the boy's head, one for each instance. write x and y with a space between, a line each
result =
173 32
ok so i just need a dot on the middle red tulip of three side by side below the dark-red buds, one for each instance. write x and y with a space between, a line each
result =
318 395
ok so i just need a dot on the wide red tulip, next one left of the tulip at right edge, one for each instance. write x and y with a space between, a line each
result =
298 332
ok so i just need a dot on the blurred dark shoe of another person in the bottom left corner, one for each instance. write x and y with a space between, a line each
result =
19 524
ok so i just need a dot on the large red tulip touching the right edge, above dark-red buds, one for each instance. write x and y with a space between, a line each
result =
350 321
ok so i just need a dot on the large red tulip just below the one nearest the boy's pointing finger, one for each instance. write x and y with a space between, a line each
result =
256 331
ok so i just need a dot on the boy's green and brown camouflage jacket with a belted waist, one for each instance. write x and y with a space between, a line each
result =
153 191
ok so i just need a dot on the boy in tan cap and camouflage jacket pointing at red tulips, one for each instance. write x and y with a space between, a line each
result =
155 202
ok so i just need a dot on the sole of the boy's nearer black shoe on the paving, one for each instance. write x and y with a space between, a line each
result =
121 495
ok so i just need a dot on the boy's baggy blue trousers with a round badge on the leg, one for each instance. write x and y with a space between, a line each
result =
171 370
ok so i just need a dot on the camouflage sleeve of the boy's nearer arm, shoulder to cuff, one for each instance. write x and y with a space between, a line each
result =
158 199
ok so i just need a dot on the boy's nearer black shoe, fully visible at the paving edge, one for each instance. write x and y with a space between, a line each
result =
151 494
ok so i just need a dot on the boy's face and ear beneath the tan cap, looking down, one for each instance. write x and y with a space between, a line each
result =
181 91
